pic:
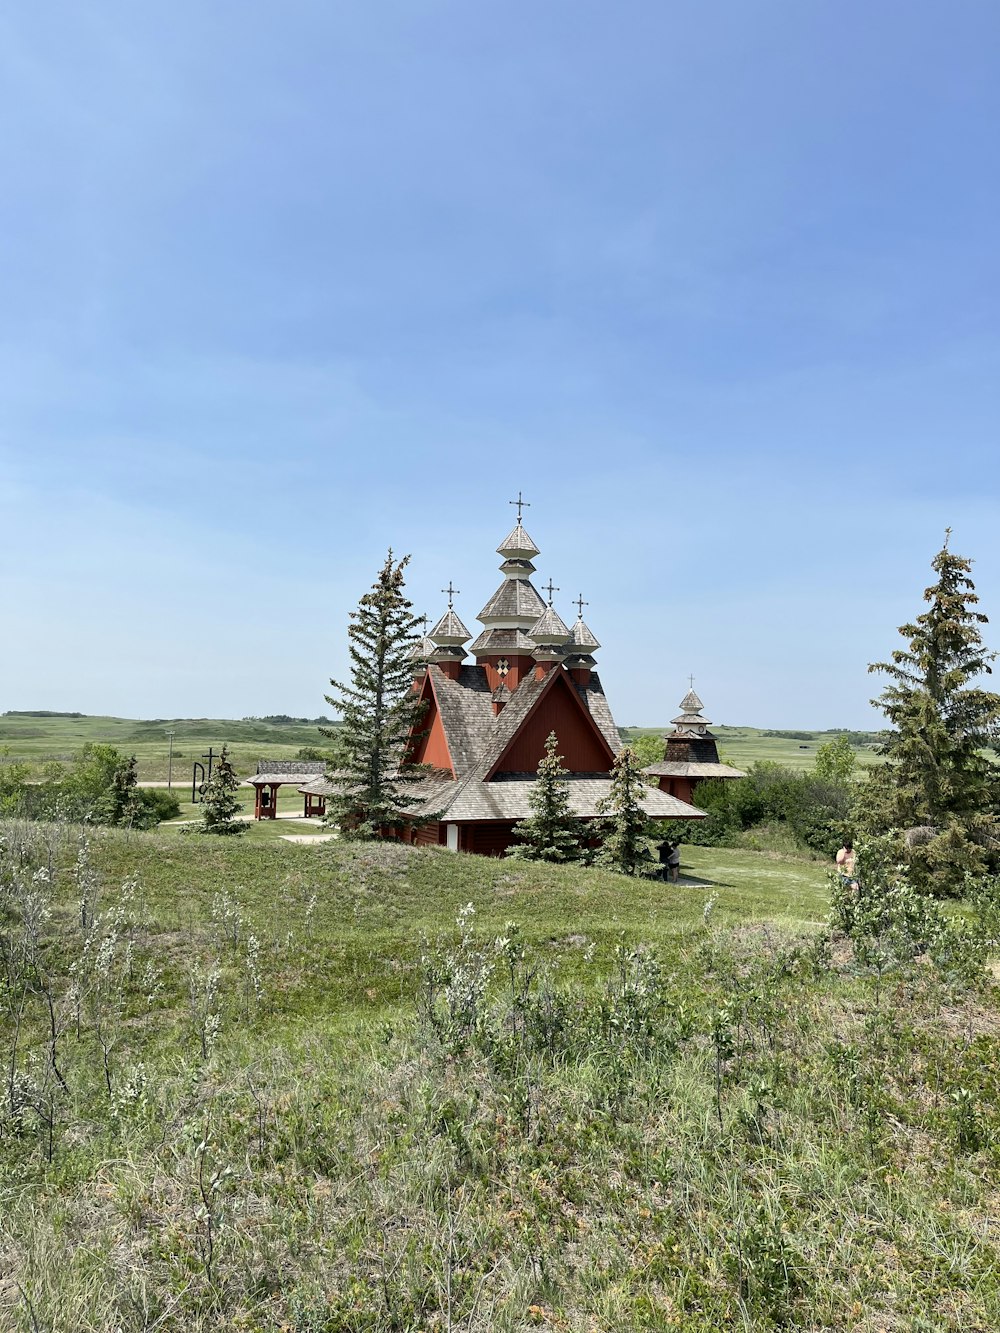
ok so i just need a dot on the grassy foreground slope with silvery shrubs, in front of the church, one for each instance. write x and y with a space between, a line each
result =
311 1090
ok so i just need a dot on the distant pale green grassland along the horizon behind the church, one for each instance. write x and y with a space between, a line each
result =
38 740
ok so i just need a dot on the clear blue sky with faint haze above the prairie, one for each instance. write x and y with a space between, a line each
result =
286 285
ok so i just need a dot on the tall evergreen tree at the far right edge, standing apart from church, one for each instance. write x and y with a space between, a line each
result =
939 787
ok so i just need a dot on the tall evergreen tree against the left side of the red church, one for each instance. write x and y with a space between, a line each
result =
378 711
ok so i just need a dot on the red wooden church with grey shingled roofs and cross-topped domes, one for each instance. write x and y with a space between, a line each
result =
485 726
